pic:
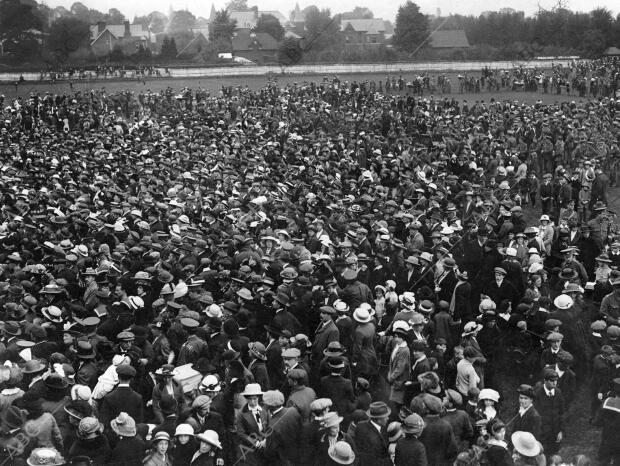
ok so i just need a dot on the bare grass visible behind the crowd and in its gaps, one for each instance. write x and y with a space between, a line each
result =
580 437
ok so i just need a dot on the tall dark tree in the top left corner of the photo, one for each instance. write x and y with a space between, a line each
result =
18 23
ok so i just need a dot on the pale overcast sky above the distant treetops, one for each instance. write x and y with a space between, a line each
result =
385 9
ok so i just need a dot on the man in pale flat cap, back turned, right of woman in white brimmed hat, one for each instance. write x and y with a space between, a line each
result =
282 445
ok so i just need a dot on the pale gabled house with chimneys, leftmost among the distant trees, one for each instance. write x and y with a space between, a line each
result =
104 38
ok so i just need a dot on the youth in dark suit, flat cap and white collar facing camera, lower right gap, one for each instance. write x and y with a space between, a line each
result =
549 402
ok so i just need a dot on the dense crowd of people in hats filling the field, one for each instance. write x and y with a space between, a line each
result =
308 274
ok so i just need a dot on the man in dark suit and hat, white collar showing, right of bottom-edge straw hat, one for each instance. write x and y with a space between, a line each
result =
371 436
